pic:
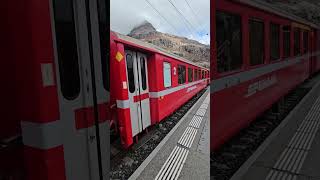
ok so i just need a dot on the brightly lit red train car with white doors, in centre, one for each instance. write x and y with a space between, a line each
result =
148 84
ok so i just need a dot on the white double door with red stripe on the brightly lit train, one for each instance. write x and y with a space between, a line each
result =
137 76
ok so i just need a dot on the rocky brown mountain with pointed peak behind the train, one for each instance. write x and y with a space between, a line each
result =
186 48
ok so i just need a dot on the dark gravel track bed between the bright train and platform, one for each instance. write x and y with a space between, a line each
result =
125 162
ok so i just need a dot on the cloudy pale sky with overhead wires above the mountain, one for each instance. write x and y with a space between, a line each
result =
193 23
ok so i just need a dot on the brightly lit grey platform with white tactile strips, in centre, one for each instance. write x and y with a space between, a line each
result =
184 152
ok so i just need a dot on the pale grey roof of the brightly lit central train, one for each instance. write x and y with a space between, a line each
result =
152 48
